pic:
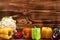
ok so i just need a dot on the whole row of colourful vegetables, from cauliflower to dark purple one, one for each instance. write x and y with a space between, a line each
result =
8 31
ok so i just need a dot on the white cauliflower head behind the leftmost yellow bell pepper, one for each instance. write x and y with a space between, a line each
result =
8 22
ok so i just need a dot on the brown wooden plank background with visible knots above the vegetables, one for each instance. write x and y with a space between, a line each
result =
28 13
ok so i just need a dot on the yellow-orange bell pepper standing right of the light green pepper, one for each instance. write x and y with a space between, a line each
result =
46 32
